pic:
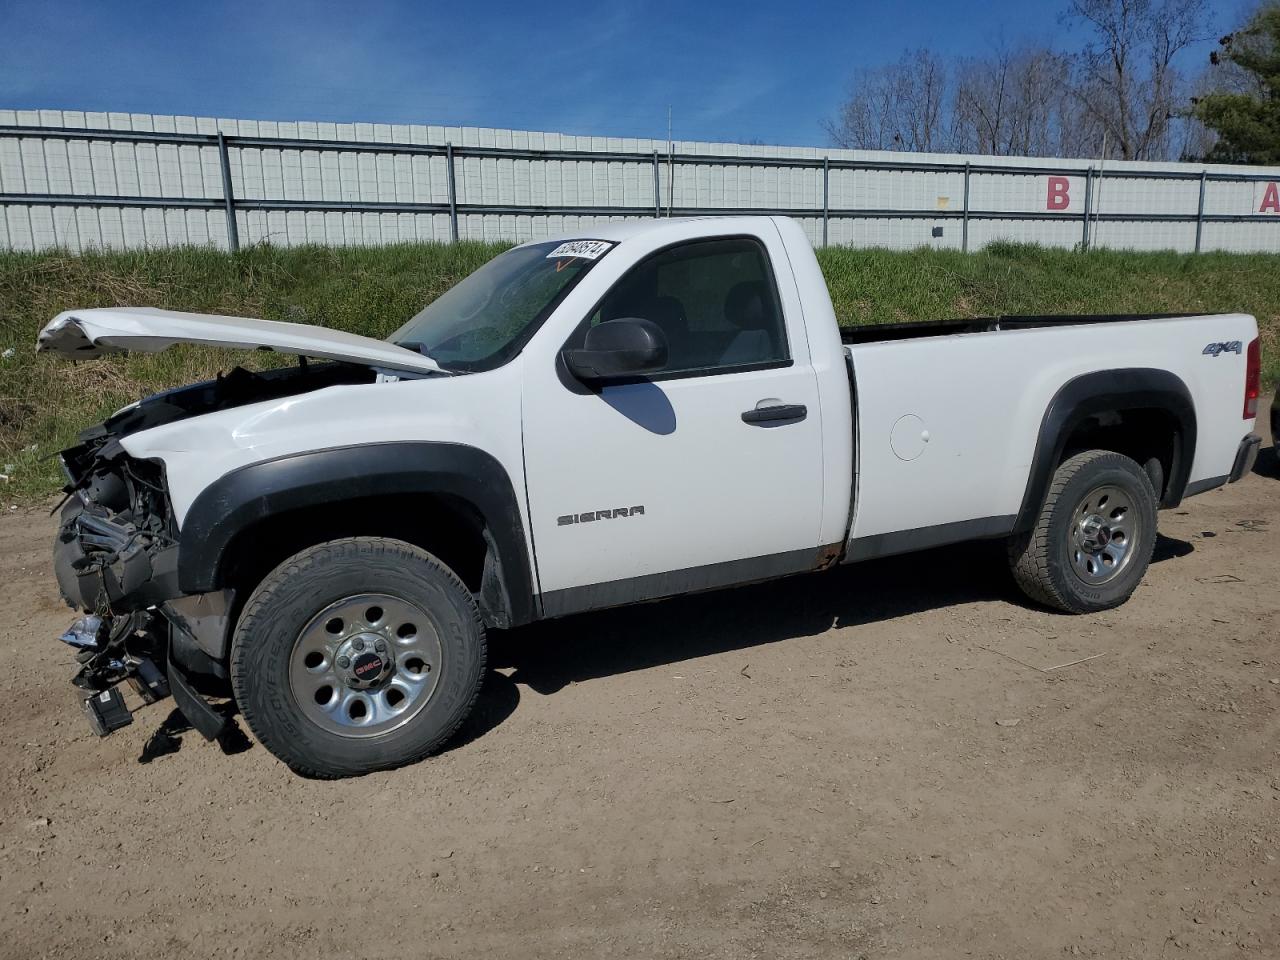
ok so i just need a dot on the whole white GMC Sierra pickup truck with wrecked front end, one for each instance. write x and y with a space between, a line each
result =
646 410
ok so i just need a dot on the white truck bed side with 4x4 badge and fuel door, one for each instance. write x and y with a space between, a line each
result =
948 426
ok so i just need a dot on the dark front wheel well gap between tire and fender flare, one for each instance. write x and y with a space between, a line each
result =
445 527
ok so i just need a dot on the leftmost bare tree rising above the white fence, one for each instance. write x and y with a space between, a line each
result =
900 107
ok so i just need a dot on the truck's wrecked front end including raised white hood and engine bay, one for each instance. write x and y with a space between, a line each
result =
117 555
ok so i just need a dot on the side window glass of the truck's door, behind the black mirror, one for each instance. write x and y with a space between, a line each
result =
716 301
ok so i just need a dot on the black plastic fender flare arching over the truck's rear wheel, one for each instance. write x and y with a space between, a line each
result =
1101 392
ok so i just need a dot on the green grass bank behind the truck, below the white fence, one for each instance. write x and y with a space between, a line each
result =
45 403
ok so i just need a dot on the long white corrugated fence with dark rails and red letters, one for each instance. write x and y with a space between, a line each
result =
81 181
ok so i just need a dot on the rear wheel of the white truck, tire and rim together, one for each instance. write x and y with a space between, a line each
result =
1094 538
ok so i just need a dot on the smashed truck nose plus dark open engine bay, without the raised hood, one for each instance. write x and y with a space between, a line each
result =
118 547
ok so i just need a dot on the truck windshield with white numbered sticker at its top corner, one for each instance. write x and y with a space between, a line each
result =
487 319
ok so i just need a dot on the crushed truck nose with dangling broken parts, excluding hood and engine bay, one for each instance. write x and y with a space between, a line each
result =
117 560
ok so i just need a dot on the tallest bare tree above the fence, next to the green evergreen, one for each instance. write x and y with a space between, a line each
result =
1127 79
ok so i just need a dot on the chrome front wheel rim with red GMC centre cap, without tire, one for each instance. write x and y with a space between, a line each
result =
365 665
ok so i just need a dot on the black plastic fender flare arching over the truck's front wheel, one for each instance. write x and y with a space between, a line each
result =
253 493
